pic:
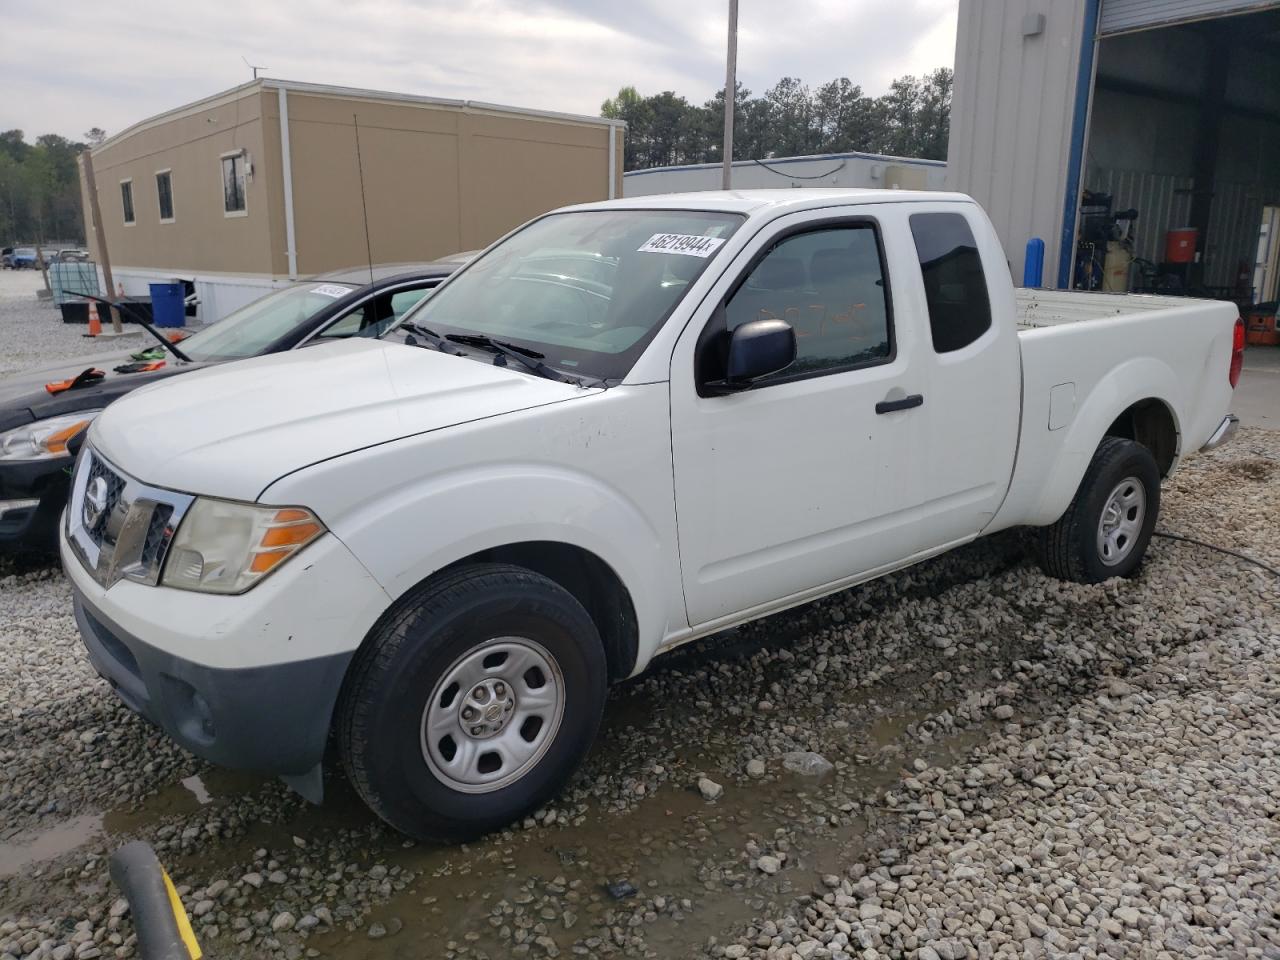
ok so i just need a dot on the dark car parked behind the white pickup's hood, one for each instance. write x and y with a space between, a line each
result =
44 414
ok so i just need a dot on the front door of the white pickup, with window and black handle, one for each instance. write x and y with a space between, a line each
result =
799 482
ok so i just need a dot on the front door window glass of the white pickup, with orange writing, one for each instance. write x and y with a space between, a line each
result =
828 284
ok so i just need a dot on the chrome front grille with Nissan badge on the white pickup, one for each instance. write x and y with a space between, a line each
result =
121 528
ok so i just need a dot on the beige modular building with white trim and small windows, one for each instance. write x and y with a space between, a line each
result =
254 188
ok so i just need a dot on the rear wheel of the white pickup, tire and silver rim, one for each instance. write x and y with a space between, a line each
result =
1107 529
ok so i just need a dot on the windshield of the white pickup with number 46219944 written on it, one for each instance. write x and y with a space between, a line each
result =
588 290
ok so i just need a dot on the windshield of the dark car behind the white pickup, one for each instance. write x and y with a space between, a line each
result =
254 328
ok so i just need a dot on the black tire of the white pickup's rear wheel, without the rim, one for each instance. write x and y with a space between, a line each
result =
1069 548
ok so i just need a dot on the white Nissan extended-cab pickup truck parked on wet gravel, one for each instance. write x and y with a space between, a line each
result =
624 427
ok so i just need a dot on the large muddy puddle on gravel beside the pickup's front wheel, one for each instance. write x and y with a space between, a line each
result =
673 845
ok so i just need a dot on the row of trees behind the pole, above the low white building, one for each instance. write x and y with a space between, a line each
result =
790 120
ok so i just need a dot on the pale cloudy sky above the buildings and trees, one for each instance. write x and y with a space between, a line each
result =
85 63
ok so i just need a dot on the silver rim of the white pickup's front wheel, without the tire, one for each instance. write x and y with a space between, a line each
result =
493 715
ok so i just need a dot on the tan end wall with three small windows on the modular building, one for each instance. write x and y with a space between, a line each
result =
202 237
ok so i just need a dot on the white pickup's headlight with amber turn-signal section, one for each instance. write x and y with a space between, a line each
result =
225 547
